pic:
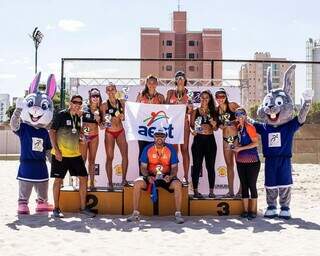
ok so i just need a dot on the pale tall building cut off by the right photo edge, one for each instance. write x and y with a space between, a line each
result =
313 70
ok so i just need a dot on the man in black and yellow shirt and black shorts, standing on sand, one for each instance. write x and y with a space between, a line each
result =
66 156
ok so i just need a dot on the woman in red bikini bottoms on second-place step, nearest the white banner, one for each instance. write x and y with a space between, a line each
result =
113 110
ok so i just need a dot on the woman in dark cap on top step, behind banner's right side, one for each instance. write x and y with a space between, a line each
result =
180 96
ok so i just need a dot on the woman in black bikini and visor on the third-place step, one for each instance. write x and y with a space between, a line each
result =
227 122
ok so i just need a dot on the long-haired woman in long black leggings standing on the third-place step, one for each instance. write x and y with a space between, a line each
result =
203 123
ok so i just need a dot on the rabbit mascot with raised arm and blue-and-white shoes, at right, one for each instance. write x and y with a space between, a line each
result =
277 132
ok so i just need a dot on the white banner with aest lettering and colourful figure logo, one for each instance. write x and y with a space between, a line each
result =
143 119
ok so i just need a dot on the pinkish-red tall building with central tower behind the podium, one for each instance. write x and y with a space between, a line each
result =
181 43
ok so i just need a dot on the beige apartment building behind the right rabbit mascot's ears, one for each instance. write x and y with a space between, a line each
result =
253 77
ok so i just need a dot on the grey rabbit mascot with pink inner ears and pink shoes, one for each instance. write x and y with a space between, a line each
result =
32 116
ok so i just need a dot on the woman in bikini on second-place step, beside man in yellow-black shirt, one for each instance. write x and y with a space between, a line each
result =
89 137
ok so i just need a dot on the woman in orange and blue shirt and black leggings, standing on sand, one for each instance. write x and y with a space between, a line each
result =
248 163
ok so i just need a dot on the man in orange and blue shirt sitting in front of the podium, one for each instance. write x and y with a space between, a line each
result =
159 166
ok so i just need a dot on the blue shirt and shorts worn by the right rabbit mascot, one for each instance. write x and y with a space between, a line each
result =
277 149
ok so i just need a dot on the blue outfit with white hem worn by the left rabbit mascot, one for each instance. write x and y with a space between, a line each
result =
34 144
